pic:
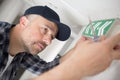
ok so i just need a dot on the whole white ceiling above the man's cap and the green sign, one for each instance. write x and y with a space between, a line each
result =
75 13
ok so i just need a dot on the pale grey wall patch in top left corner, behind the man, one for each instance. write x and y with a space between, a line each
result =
9 10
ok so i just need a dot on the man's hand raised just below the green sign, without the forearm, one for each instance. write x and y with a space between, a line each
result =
96 56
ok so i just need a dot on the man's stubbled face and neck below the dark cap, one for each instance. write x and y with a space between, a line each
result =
34 34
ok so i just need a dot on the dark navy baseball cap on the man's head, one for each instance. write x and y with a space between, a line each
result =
46 12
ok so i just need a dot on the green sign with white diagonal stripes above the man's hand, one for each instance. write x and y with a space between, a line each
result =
101 27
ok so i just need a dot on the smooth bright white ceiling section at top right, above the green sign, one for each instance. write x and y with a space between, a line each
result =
97 9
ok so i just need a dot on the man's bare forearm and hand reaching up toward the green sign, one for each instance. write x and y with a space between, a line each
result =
87 58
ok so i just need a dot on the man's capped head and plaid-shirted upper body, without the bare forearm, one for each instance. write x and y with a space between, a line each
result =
36 30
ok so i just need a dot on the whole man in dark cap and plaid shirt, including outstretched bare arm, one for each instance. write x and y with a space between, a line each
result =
36 30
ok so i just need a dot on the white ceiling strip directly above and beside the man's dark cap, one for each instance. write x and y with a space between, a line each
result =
67 13
